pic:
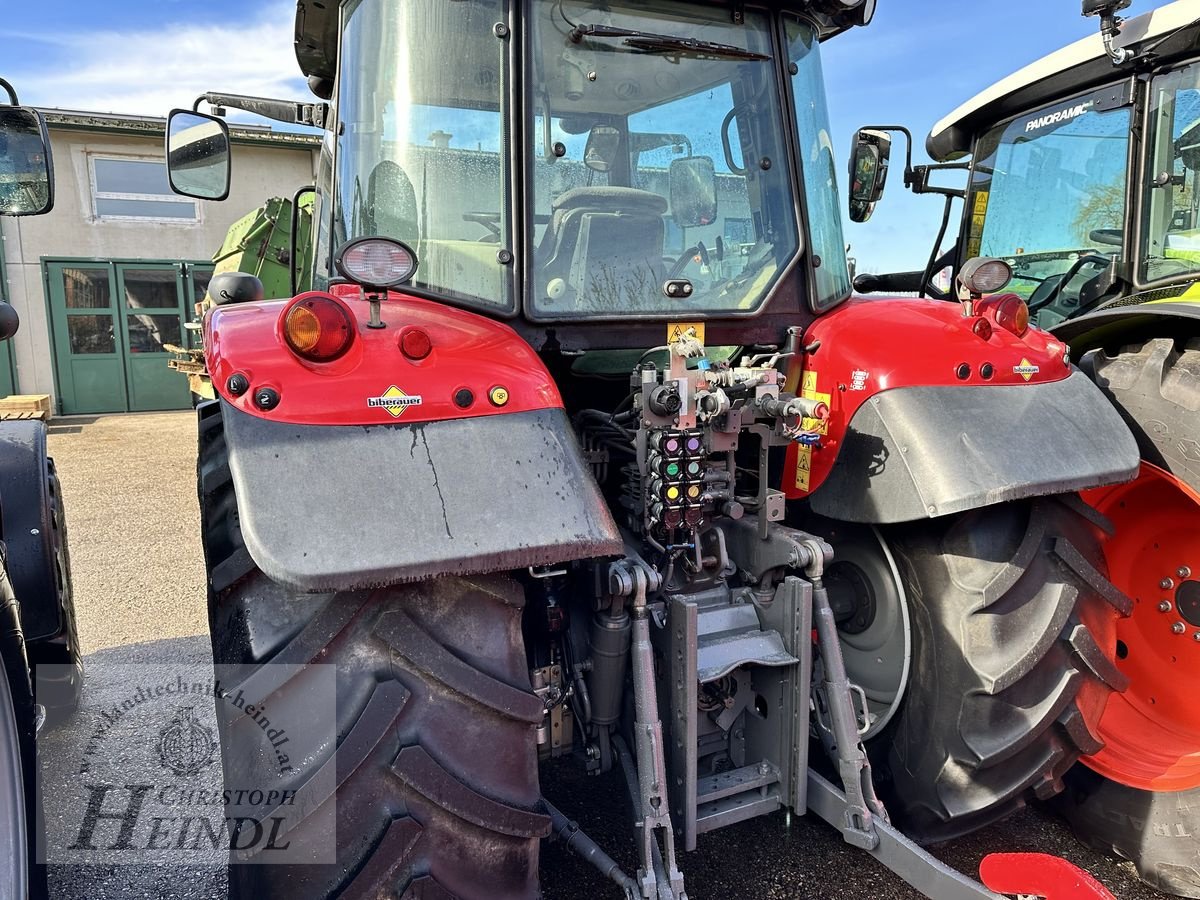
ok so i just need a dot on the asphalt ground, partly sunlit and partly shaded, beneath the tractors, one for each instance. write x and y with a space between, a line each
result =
130 493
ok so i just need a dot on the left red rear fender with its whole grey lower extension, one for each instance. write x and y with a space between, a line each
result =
341 488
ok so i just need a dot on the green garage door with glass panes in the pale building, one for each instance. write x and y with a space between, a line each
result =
111 322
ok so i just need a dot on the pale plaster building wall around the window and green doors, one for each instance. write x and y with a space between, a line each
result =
73 230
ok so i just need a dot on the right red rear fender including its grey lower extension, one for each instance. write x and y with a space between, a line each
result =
909 437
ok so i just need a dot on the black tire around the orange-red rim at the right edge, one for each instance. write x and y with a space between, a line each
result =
1156 388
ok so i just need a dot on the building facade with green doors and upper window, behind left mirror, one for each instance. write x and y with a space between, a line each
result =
110 278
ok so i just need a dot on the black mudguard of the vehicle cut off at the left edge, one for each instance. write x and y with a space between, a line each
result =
27 527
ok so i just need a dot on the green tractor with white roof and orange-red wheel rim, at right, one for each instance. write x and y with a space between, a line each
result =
1085 179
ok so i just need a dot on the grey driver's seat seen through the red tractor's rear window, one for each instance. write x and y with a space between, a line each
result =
603 249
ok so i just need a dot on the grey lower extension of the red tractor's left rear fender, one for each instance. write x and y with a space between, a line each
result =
343 508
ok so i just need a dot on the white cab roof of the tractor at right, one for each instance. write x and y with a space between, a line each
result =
1075 69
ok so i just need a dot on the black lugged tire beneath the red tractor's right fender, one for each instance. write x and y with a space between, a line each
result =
1000 599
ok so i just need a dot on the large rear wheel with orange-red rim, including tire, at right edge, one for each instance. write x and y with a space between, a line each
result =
1139 797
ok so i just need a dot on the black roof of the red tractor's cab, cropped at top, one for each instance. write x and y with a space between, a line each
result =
316 32
